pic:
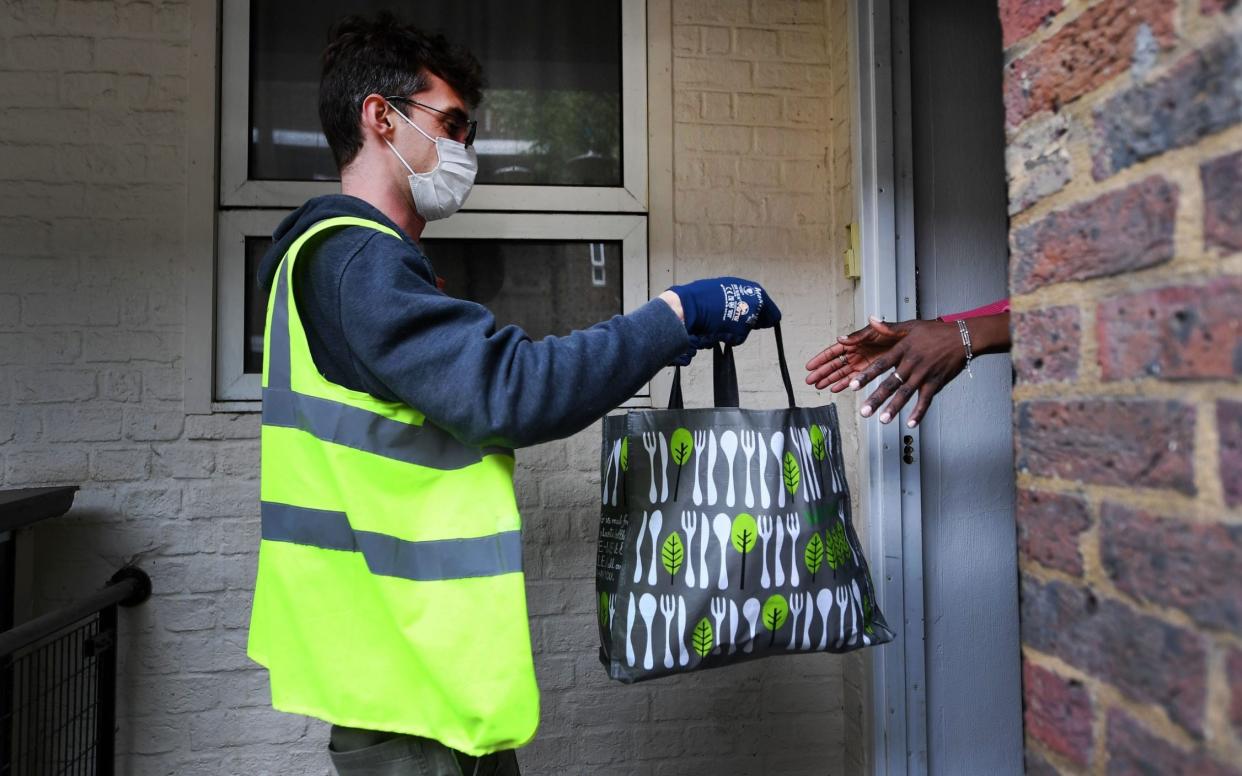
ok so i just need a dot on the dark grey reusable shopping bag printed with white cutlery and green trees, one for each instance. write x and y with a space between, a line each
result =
726 536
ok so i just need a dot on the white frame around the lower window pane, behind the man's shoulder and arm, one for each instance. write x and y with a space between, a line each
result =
233 384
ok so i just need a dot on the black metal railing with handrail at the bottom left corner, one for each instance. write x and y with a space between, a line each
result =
59 685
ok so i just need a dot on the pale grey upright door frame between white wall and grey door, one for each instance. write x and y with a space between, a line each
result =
895 705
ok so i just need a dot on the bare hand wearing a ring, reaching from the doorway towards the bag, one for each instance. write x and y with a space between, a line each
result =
925 357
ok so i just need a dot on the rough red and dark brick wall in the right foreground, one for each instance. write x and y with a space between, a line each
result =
1125 126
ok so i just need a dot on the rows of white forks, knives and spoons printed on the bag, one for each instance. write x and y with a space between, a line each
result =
738 624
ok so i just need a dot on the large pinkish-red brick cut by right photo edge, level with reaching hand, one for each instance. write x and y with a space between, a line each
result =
1176 333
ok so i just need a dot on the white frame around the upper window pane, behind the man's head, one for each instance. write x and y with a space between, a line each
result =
237 189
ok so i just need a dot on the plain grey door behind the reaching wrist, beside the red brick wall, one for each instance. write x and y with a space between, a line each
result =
969 548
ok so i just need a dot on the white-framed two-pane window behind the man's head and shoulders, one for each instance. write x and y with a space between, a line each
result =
562 198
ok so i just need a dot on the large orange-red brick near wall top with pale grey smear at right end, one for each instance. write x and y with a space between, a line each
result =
1084 55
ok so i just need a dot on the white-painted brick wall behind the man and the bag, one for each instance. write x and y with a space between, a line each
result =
93 259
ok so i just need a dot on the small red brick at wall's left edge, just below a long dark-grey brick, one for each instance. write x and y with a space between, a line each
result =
1058 713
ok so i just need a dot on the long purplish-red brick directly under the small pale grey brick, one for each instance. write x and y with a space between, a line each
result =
1121 232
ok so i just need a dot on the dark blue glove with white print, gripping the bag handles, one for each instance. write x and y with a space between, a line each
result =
725 310
